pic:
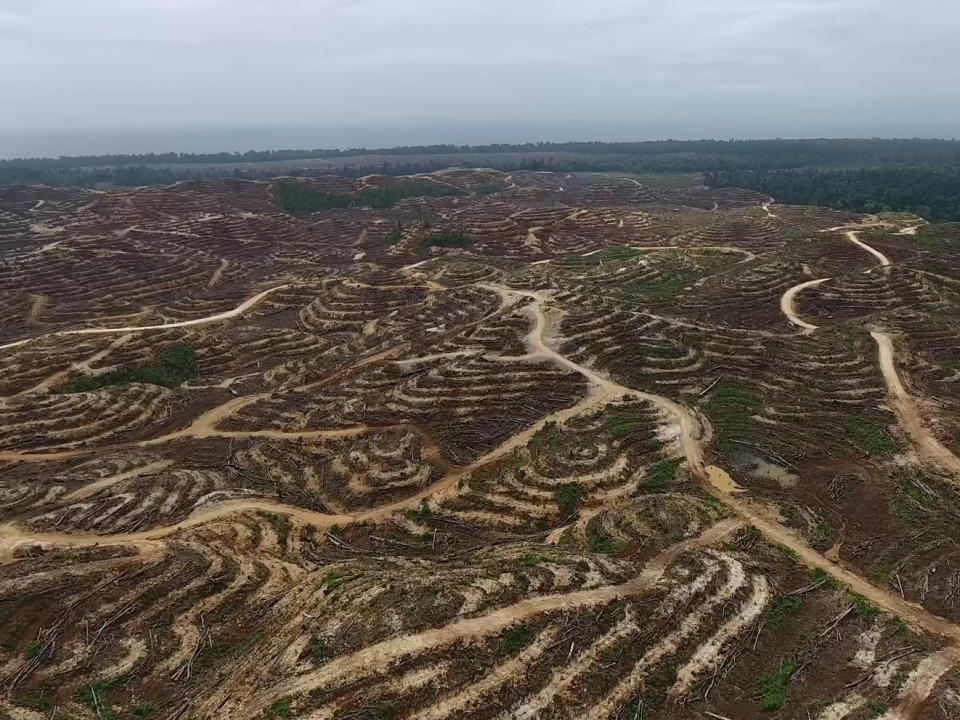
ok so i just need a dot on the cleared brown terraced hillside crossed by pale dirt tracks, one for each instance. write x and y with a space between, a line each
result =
474 444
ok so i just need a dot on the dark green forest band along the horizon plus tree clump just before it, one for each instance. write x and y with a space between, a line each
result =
865 175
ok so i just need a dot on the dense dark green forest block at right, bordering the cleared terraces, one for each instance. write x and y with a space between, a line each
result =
932 192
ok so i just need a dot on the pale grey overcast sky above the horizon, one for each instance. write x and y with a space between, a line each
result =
82 76
